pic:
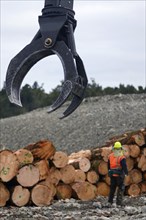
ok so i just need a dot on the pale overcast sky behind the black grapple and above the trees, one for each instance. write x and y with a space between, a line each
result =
110 38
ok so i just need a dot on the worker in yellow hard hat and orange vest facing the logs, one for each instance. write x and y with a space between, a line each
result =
117 171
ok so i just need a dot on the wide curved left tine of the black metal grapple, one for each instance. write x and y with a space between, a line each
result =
19 66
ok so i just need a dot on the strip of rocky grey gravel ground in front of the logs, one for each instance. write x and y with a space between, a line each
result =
135 208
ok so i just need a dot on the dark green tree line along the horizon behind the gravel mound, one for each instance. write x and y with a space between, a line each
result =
34 96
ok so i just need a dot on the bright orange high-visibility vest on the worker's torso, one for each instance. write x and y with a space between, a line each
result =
115 162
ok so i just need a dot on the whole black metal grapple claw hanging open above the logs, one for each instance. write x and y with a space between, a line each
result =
55 36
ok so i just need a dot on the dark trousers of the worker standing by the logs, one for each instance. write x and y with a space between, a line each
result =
117 181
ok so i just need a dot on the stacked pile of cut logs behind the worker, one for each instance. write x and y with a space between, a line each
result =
38 174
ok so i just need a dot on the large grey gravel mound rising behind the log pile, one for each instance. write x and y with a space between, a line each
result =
91 125
